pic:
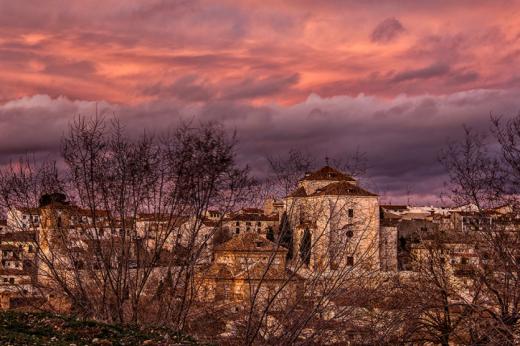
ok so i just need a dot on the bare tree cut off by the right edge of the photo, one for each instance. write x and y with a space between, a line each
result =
485 174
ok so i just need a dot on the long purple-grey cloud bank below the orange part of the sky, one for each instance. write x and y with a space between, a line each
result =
401 136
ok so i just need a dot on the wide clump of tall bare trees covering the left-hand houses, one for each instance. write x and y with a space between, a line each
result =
125 214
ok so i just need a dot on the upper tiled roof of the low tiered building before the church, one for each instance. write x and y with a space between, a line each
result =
250 242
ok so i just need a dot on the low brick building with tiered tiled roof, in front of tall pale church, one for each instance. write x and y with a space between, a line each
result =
240 265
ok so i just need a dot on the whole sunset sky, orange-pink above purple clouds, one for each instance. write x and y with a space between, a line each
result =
395 80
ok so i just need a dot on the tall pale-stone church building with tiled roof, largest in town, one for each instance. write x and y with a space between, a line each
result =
335 219
